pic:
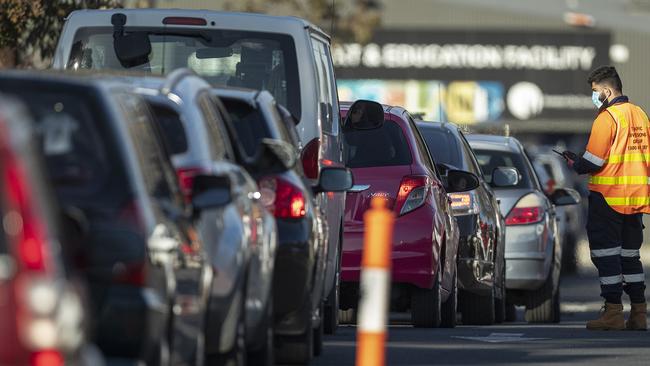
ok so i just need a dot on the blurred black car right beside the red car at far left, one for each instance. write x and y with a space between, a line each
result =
105 159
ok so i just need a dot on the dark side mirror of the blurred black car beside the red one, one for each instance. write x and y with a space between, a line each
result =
210 191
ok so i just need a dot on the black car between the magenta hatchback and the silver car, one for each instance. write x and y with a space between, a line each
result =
481 263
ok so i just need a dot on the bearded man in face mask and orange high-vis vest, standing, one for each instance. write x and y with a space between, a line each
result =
617 159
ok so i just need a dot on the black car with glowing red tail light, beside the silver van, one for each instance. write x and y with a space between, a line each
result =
302 233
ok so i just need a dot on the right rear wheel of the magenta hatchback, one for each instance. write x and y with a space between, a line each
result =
426 306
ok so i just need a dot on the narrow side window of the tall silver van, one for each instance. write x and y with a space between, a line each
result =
325 92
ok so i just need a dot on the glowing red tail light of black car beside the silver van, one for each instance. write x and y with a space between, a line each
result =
282 198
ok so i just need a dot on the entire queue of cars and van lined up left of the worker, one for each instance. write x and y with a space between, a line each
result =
206 208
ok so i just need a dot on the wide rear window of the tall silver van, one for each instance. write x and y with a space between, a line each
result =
254 60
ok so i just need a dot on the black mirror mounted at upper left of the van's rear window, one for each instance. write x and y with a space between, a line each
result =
131 49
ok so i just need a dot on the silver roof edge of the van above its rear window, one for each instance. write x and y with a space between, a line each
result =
240 20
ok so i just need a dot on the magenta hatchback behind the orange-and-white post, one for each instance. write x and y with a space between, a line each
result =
392 161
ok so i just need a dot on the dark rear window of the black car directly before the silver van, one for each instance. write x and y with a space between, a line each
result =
248 123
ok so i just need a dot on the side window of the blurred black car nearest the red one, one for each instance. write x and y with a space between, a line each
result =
159 178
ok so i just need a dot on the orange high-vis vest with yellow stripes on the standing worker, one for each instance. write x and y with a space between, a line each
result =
624 179
